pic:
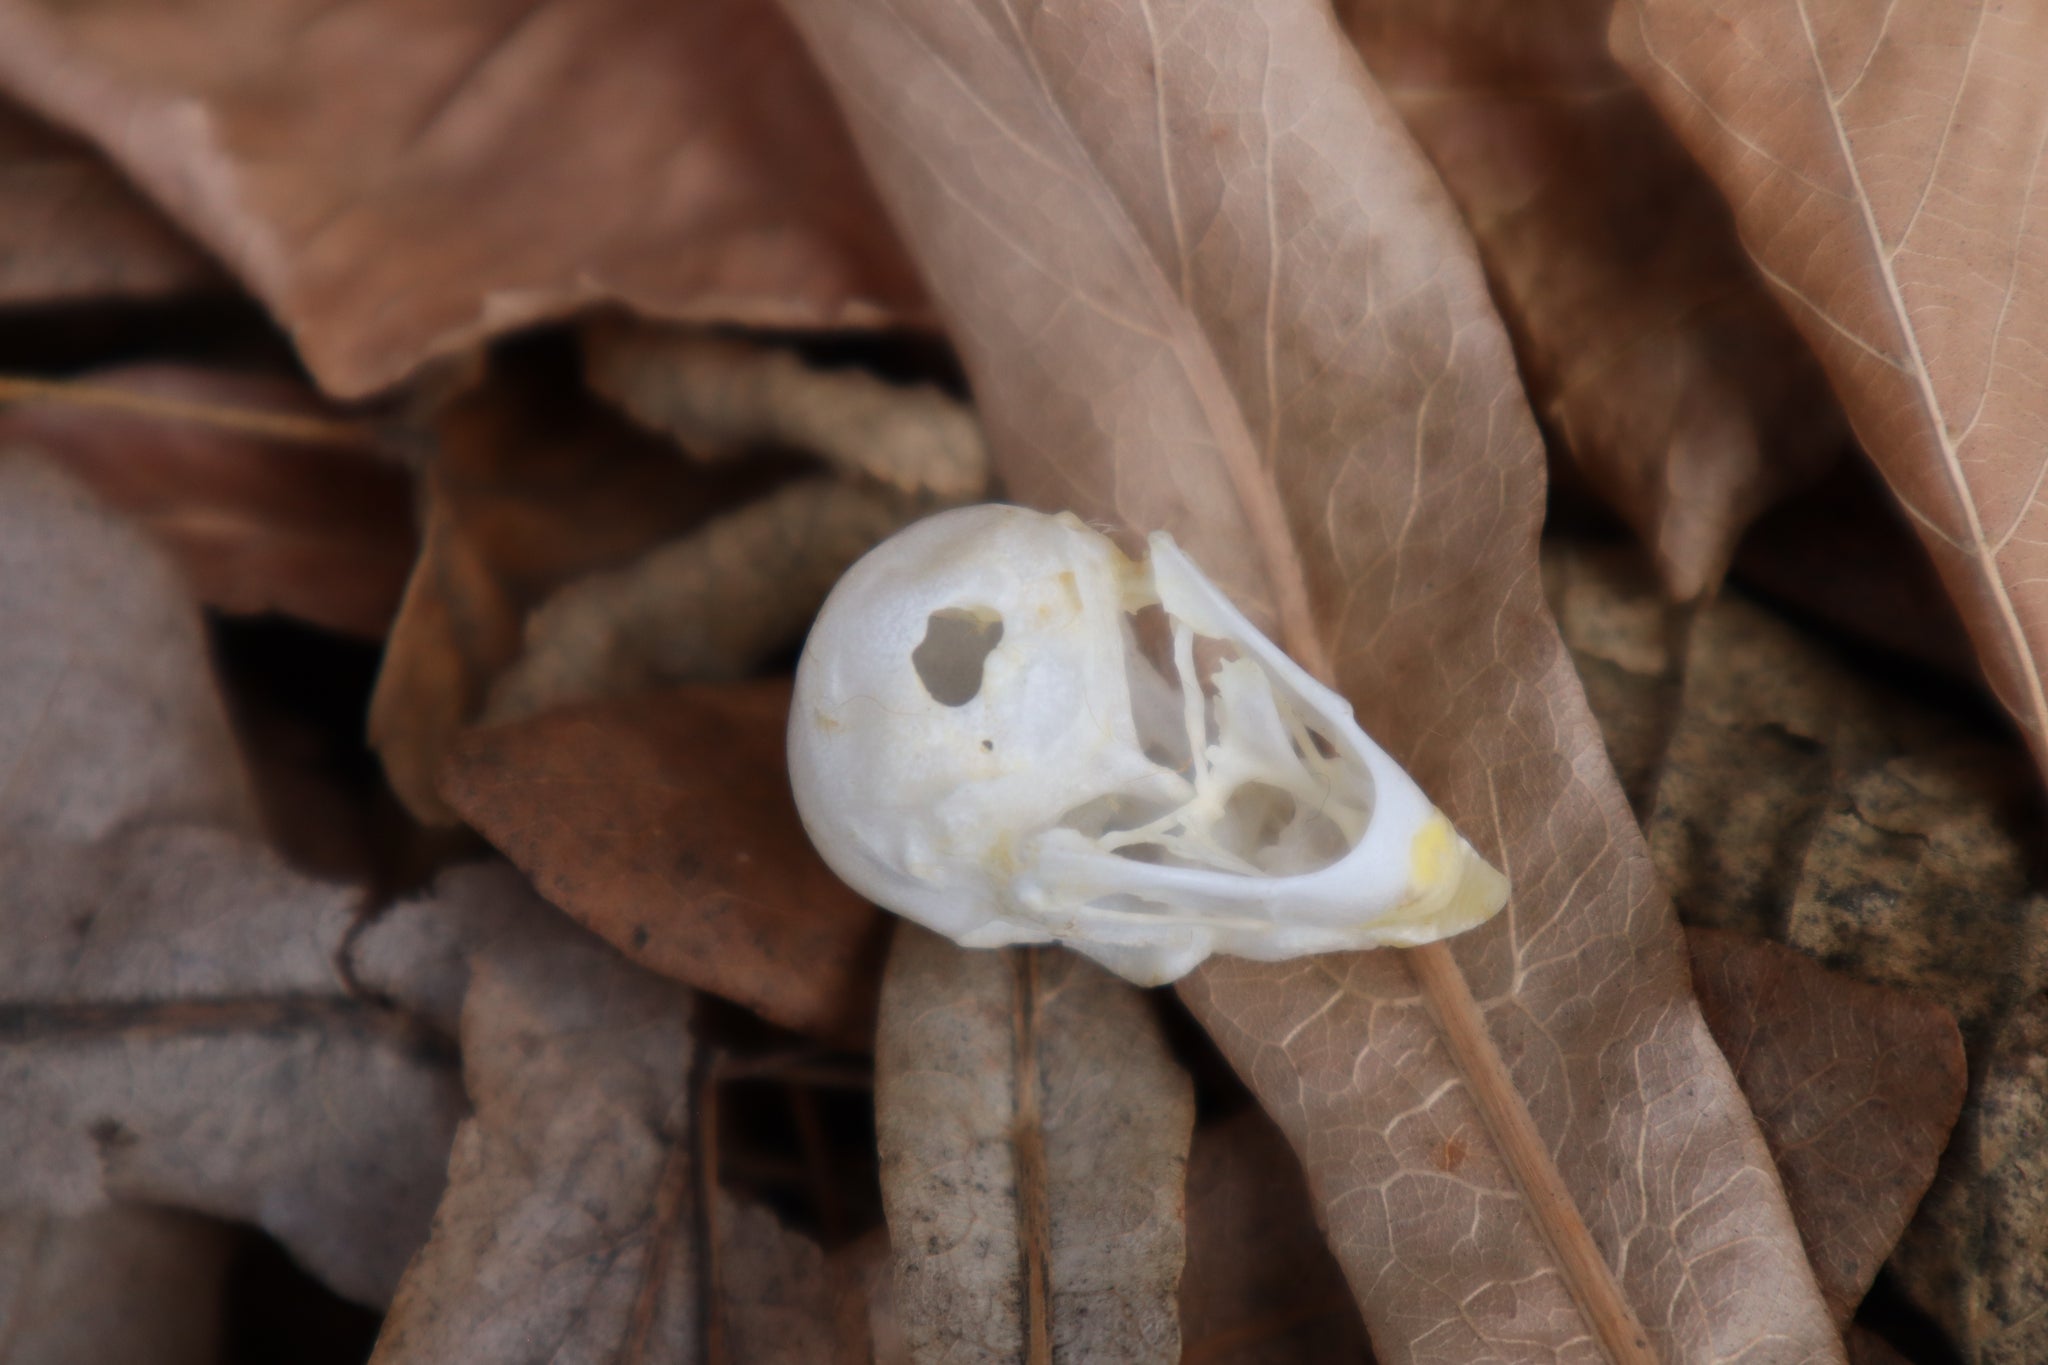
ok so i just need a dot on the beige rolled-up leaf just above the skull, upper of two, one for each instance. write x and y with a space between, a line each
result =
722 396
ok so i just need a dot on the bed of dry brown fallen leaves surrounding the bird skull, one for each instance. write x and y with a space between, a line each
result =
1201 281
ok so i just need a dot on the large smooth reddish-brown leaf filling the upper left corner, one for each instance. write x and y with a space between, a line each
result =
400 183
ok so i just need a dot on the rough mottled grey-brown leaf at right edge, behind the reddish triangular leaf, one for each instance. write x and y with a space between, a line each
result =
1803 801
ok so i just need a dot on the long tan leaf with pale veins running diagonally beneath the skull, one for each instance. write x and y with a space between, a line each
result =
1203 283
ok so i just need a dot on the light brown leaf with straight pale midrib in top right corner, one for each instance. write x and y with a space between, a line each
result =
1887 167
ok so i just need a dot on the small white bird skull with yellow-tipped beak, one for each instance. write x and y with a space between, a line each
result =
1013 734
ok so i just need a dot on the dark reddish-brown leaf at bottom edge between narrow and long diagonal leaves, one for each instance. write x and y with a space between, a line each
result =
1261 1284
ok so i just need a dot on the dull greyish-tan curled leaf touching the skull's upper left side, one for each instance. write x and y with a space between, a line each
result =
710 607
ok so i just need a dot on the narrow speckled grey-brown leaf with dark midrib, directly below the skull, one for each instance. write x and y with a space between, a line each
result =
1035 1145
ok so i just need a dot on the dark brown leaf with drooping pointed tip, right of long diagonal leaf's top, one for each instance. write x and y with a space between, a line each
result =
1646 337
